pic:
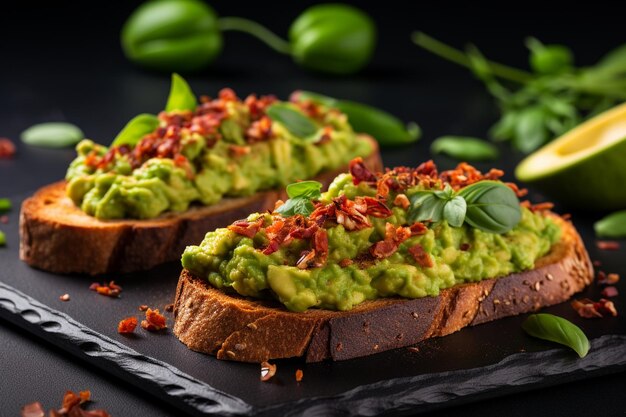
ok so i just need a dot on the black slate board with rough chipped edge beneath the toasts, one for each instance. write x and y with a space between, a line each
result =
480 362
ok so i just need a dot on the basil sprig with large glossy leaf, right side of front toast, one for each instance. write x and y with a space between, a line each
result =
490 206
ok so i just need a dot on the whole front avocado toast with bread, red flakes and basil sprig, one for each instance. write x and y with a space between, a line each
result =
378 262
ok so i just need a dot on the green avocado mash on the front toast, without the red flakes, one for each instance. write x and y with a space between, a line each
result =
230 260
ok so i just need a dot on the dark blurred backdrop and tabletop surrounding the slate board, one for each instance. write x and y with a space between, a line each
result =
62 62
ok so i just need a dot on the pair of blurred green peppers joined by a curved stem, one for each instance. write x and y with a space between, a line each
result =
186 35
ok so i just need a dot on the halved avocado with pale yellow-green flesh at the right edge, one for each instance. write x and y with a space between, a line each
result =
586 167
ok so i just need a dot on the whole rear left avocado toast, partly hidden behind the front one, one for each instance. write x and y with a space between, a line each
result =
137 204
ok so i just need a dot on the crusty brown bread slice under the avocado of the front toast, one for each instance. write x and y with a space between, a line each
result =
248 330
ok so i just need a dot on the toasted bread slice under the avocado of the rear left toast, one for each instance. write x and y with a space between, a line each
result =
57 236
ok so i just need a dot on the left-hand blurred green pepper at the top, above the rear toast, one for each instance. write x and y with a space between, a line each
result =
172 35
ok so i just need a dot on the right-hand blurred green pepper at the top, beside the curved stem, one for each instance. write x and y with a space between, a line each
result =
333 38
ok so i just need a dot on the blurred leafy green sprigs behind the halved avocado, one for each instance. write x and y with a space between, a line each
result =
541 105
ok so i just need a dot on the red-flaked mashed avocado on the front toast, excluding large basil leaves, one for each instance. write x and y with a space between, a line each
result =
360 243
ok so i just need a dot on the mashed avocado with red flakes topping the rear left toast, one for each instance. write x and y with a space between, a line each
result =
225 147
